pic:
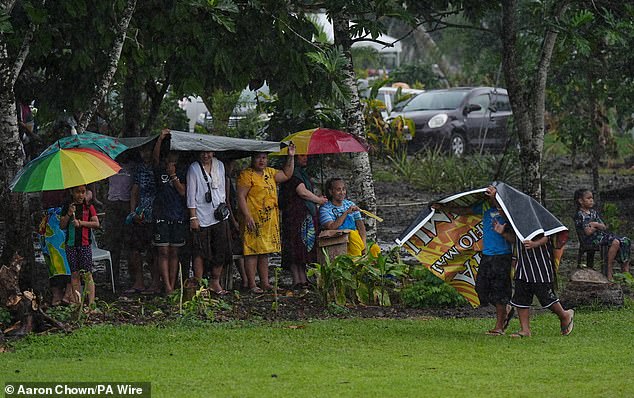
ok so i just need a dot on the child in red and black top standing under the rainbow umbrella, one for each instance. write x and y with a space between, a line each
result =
78 218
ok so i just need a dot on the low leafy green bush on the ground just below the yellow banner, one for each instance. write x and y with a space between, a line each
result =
428 290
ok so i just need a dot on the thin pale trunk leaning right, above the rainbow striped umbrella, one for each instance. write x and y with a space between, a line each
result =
102 86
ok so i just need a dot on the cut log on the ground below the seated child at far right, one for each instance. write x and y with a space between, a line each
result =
589 287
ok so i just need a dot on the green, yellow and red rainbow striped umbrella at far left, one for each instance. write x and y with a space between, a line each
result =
64 168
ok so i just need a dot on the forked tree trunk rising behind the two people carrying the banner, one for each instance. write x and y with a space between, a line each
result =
528 95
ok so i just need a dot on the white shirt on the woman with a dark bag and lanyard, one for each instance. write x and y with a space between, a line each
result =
197 188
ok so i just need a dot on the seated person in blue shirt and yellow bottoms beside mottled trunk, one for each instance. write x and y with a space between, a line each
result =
341 213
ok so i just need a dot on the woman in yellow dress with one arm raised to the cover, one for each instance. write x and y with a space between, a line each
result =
257 200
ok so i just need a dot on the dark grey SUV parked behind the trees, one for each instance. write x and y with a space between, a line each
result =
458 119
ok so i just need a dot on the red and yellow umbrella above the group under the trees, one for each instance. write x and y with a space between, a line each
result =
321 140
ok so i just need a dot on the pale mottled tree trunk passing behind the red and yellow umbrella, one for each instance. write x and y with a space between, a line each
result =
353 113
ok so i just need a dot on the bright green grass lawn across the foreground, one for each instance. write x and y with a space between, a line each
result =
351 357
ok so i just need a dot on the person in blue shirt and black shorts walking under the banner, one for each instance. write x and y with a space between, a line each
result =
493 282
